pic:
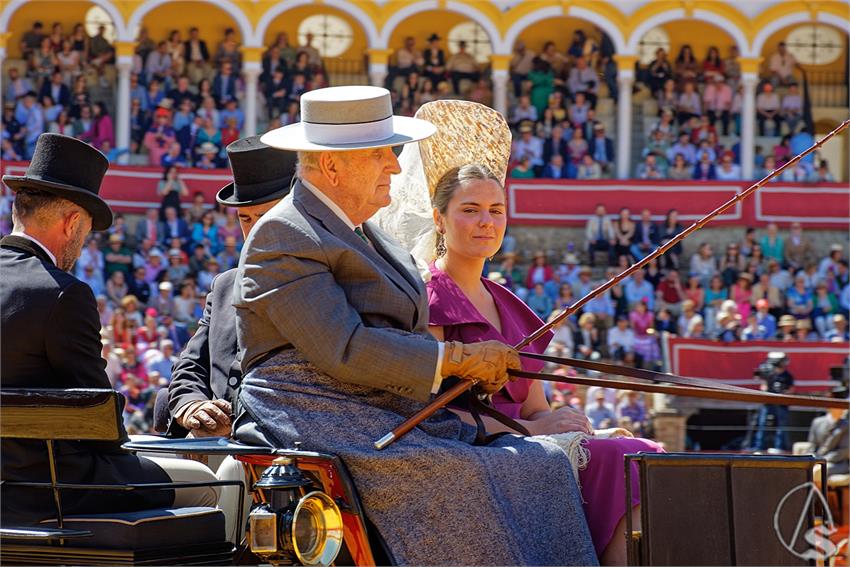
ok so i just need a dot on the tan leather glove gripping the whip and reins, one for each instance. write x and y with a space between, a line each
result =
487 361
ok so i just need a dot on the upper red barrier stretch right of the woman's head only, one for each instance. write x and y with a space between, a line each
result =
571 203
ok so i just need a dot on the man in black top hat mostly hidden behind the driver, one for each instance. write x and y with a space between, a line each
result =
206 376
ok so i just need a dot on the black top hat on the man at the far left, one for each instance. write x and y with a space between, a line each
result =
70 169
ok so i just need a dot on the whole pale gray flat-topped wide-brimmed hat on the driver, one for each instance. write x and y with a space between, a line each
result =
347 118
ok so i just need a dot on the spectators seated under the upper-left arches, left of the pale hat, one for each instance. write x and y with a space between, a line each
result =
185 99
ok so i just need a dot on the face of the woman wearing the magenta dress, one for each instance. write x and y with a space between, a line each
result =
475 219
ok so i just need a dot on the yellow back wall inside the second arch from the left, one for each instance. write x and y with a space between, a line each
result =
210 20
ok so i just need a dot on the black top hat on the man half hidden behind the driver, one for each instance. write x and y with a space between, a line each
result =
261 173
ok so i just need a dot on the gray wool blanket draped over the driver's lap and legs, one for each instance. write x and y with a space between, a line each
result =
435 498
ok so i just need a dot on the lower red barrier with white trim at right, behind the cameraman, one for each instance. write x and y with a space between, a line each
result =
736 363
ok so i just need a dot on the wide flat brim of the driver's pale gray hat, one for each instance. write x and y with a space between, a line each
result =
293 137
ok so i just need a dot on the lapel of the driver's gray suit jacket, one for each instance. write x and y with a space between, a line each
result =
383 258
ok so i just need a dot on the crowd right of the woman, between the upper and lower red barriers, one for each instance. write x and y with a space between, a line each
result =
768 286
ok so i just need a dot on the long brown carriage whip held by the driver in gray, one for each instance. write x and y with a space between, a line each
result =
462 386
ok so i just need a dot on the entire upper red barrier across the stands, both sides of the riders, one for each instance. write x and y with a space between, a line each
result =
558 203
